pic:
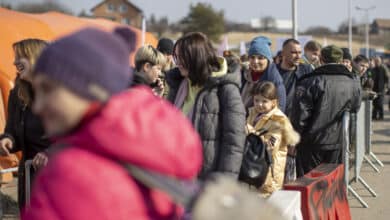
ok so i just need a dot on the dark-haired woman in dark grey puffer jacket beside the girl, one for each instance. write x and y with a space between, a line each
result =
202 89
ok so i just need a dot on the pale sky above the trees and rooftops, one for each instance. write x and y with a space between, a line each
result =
328 13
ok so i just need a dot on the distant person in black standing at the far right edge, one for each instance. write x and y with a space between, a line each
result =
379 73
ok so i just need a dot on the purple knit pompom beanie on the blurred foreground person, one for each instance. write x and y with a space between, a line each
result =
91 63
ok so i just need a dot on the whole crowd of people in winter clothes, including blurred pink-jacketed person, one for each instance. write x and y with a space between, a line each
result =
80 111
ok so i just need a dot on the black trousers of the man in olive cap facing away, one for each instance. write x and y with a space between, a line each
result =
308 159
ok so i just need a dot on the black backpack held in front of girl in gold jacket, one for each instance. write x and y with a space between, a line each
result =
256 161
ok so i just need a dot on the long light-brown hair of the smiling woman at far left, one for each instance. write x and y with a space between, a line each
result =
29 49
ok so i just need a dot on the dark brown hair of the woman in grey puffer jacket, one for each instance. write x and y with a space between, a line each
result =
197 55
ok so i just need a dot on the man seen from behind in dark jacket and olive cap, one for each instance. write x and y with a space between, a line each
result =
321 99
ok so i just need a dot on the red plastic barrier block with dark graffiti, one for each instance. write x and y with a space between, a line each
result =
323 193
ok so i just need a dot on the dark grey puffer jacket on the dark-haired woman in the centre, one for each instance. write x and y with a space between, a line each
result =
219 118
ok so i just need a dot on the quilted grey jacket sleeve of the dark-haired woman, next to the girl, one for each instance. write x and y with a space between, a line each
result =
232 138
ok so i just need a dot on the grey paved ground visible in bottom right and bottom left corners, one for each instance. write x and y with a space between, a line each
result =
380 182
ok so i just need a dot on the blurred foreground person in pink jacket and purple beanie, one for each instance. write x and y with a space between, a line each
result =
80 86
